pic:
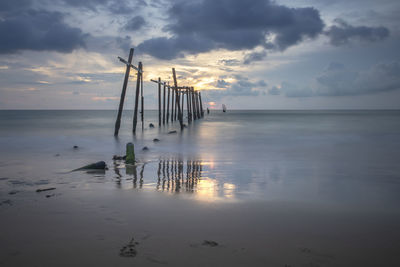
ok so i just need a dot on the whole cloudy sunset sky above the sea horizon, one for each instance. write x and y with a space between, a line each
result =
254 54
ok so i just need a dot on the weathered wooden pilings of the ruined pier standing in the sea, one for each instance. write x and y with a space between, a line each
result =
175 93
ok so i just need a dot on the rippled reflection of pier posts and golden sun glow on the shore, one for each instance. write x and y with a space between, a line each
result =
175 176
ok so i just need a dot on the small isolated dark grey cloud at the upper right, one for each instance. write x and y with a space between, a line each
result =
343 33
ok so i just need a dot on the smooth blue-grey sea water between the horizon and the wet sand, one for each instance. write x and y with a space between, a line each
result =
341 158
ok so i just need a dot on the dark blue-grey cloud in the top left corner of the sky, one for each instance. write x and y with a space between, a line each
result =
23 28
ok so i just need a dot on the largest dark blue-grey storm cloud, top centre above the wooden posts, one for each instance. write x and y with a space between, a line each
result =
233 25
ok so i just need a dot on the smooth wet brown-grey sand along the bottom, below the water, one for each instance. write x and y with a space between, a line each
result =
100 227
